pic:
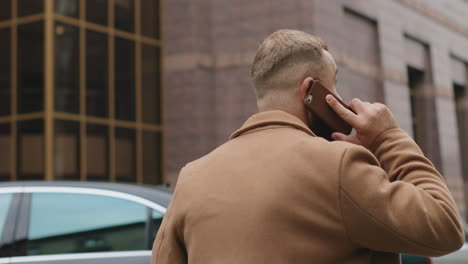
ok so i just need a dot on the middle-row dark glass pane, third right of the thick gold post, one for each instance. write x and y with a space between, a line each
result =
124 79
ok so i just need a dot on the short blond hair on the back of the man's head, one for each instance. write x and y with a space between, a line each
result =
284 58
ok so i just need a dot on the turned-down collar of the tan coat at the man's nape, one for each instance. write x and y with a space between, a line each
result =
270 118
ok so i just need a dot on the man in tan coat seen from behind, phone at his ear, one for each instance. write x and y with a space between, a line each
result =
276 193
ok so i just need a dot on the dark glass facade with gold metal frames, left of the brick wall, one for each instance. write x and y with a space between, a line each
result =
80 92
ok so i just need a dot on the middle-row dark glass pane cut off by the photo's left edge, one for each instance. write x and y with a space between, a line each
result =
5 71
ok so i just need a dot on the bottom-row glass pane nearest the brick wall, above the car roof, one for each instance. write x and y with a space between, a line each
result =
152 173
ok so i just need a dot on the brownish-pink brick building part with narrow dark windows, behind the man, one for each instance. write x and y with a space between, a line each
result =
410 54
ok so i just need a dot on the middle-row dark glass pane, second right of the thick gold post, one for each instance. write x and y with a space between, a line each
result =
96 74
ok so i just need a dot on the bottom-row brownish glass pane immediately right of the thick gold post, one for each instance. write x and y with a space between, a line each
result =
67 150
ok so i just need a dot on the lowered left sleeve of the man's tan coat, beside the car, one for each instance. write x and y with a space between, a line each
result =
168 247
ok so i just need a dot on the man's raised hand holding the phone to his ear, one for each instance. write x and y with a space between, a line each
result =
369 121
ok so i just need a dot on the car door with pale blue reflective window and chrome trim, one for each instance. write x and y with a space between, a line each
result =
73 227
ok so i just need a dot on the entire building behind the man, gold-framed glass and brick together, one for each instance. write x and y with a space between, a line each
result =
81 95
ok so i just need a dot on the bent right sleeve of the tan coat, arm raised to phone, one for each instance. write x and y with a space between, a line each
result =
398 203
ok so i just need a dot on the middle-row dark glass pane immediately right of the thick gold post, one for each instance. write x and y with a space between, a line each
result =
67 91
